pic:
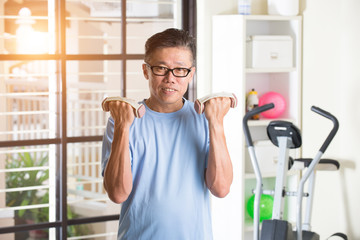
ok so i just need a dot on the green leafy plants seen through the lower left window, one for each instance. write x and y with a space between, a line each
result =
29 178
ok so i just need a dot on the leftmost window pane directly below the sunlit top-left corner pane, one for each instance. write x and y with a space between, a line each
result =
28 100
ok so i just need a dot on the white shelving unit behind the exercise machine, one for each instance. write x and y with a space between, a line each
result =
230 73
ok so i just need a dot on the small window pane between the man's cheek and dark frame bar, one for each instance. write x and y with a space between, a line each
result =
136 85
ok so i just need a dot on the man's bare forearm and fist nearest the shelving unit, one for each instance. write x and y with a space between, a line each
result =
219 173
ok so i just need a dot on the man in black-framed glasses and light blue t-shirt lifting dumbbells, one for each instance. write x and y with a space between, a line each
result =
162 166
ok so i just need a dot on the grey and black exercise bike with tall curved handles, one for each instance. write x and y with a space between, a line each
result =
287 136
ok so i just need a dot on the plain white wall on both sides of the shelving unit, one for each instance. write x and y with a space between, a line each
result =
331 80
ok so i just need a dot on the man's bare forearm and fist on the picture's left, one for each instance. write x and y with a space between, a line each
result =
117 176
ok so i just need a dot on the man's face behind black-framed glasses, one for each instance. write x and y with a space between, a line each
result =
166 92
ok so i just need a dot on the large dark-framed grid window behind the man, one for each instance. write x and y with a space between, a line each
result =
58 60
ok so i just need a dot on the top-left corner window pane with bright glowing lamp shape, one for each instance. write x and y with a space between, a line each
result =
27 27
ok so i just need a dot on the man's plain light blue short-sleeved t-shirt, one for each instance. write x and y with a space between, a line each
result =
169 199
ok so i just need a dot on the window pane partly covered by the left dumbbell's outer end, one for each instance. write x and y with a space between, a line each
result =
88 83
